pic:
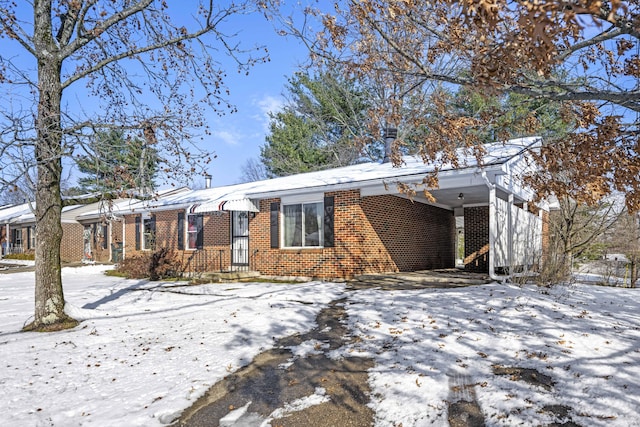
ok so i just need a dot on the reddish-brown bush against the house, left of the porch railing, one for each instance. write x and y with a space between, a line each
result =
157 265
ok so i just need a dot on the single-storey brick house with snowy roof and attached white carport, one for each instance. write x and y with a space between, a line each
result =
354 220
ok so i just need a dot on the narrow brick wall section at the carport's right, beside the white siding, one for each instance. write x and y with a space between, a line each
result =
476 239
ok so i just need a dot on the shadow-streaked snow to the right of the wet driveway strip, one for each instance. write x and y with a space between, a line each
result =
585 338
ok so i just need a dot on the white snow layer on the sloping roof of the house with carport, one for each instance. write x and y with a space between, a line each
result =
495 154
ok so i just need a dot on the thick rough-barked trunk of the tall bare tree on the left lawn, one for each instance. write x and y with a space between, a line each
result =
49 298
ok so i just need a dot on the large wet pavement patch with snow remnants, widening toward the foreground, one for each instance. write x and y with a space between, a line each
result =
265 389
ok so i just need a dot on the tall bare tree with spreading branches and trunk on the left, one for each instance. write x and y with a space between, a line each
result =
71 68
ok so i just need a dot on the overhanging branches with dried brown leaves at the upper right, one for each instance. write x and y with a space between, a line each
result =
583 54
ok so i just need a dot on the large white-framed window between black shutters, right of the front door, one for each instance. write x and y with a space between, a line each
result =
302 225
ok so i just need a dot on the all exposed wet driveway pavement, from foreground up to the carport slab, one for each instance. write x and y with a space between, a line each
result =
268 388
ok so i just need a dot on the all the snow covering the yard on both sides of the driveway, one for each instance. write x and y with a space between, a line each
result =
146 350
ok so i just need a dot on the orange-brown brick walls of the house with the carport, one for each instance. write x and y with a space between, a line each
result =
371 235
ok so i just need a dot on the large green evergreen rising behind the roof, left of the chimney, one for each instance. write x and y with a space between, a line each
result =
317 128
